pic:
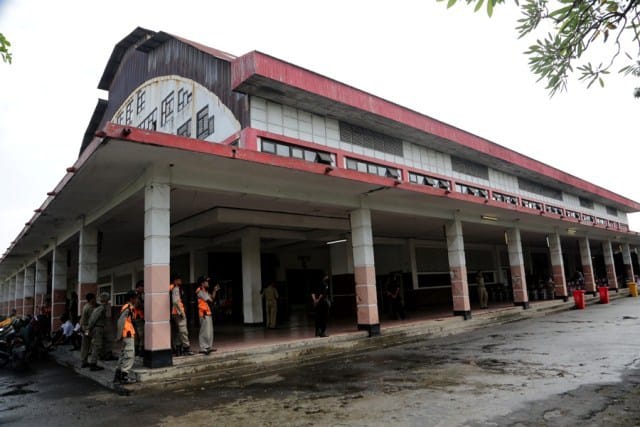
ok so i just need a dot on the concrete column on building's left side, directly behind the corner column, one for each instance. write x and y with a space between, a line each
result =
87 264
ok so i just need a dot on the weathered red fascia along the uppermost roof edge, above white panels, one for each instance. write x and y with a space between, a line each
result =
257 63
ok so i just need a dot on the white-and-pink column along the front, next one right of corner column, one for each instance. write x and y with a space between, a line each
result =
364 269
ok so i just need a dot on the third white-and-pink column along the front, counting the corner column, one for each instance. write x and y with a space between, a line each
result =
458 269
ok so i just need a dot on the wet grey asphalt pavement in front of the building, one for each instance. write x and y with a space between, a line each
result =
578 367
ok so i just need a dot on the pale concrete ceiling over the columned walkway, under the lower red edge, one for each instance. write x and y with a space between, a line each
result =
106 190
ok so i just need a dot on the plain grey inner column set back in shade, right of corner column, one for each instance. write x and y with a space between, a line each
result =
251 277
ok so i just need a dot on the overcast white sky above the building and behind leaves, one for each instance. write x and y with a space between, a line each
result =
459 67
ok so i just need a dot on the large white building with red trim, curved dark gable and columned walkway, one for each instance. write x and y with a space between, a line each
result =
254 170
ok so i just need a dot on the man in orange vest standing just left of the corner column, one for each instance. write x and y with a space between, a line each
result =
126 334
